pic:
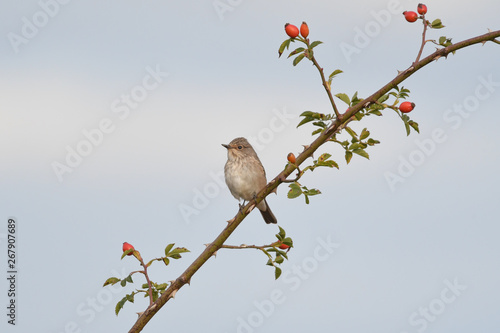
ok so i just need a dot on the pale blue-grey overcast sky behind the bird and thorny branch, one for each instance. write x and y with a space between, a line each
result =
112 119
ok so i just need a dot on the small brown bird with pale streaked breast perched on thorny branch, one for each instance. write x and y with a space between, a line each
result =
245 175
